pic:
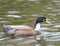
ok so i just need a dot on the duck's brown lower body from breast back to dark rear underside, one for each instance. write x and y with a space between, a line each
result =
23 32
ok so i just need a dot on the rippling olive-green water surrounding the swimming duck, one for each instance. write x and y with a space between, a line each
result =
27 12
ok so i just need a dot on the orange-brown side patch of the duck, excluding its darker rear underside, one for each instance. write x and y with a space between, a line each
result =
25 32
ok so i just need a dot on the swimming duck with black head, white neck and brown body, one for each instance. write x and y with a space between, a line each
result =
23 30
